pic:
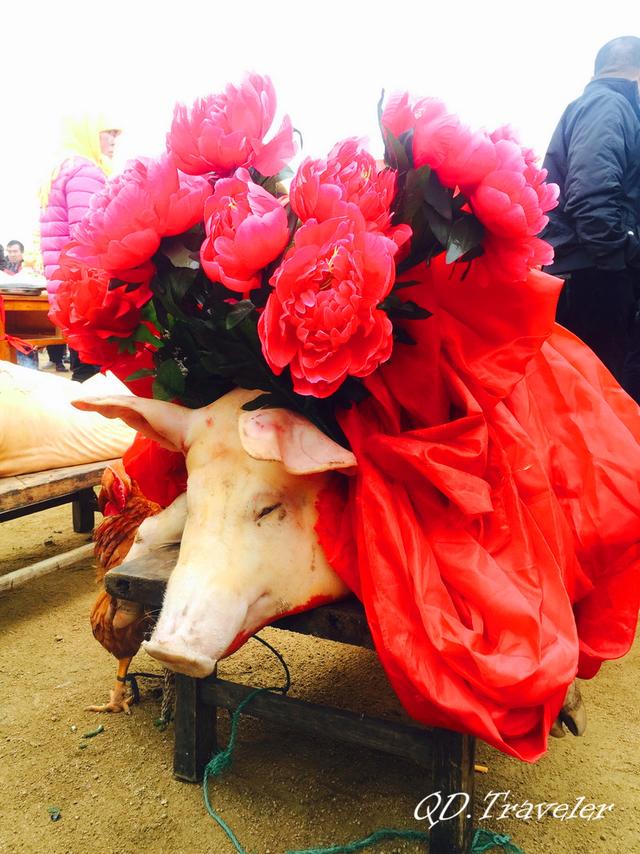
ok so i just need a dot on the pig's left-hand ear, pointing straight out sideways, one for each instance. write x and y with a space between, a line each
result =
165 423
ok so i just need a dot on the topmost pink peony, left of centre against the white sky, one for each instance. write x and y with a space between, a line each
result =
224 131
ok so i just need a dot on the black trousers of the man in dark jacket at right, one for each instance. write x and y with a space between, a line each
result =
601 307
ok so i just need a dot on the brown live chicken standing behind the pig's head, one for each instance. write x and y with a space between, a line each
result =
119 625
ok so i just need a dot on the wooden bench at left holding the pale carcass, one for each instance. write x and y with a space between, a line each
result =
28 493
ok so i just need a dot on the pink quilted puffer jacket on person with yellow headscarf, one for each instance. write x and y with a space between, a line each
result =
69 196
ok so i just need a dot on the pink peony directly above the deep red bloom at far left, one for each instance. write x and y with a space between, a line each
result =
127 219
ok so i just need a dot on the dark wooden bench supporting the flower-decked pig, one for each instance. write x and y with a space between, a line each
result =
446 757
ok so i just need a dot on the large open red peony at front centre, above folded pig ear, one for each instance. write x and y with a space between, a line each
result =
322 318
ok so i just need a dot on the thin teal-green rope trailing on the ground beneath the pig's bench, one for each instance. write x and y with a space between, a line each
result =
483 840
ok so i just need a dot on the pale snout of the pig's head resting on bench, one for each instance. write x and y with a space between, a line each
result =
191 638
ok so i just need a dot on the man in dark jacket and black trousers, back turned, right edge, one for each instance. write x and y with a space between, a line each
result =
594 157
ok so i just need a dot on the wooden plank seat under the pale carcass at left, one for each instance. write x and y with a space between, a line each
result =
22 490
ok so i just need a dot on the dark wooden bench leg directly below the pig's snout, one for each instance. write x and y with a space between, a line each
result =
195 731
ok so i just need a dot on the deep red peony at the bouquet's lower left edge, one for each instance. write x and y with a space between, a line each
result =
89 313
